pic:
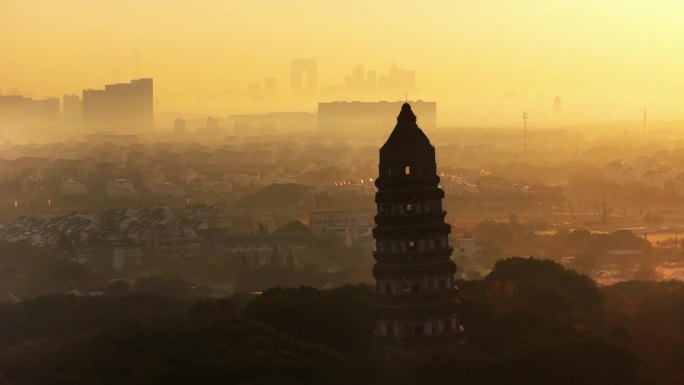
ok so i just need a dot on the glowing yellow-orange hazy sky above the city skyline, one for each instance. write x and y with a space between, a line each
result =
621 55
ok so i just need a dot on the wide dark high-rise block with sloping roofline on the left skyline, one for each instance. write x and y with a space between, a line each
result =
121 106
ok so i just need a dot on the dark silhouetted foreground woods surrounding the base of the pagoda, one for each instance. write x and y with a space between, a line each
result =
528 322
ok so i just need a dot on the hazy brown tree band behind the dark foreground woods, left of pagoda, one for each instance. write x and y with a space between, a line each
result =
27 272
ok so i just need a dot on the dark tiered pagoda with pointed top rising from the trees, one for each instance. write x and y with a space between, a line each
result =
414 273
